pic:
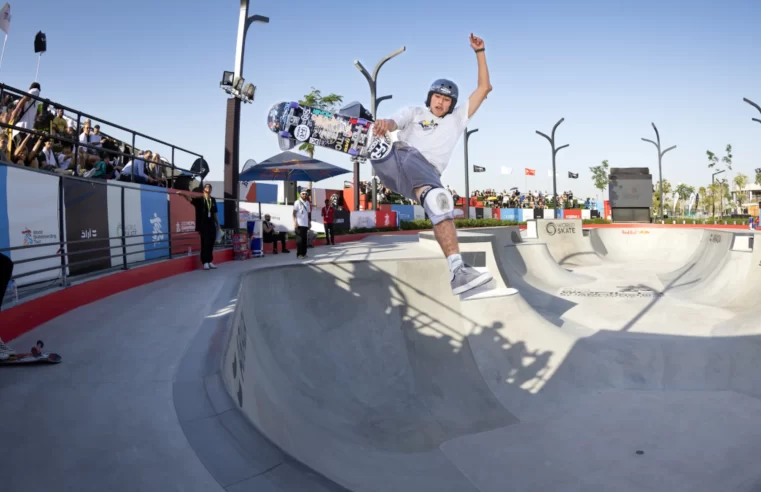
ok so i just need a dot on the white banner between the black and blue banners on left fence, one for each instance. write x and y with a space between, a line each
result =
132 216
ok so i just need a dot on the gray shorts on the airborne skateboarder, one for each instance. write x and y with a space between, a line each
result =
404 169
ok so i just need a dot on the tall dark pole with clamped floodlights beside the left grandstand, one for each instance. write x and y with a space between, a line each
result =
234 86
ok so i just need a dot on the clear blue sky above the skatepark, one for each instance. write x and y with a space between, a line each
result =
608 69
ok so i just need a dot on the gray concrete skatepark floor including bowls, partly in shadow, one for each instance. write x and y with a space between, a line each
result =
358 370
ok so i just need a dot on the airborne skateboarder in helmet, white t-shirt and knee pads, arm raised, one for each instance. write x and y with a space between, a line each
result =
425 142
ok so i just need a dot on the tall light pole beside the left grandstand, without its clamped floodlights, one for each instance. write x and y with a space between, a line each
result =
232 125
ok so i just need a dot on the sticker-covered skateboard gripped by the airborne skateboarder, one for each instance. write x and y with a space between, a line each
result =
294 123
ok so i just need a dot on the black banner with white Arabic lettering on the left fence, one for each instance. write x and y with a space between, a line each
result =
86 212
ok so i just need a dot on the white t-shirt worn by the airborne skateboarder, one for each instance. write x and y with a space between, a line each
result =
432 136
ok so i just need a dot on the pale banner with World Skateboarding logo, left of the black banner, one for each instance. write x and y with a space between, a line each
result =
30 217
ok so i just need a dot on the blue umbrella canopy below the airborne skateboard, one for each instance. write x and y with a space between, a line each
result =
290 166
